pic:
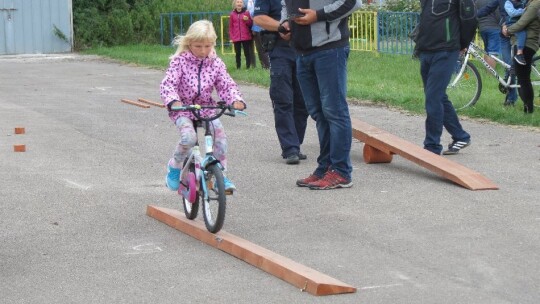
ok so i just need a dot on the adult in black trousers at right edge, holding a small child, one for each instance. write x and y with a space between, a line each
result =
529 22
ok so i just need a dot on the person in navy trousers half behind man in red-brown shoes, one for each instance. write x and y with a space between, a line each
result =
290 114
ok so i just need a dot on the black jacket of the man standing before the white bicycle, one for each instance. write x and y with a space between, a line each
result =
446 25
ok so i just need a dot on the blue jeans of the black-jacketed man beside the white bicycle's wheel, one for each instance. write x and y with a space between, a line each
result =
436 69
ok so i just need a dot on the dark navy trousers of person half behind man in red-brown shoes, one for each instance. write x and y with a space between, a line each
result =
290 114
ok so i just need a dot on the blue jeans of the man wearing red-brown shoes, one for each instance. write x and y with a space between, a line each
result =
323 79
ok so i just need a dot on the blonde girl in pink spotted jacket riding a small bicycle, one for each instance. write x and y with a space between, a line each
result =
194 71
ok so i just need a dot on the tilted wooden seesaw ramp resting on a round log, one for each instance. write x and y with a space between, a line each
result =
379 146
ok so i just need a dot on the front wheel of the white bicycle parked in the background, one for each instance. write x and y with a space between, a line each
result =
464 88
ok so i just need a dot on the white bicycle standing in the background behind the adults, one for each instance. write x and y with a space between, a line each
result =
465 86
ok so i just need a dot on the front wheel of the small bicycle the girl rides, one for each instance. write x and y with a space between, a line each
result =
214 201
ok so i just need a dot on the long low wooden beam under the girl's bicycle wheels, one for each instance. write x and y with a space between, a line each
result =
302 277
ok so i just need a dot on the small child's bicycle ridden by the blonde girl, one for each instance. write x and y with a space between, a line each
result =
203 177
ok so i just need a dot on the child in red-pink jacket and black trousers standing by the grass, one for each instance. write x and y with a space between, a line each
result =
240 23
